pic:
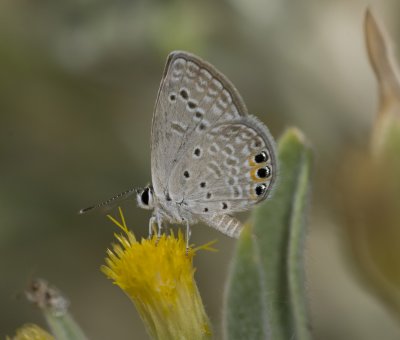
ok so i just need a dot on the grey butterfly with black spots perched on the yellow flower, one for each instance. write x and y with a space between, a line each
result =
209 157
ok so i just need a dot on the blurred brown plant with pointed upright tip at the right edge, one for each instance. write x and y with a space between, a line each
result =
370 183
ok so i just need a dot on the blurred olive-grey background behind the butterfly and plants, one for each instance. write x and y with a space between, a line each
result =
78 82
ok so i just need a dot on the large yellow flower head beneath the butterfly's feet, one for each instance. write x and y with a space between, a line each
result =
158 276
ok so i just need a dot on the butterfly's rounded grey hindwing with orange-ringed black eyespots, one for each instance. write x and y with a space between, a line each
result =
220 173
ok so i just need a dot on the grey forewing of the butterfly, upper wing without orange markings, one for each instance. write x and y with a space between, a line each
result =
193 96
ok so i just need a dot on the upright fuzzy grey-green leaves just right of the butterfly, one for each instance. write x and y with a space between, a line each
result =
266 297
